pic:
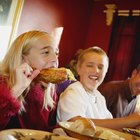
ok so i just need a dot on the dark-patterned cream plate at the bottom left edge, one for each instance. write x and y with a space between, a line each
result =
29 134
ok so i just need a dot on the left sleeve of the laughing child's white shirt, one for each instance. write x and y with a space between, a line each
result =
71 104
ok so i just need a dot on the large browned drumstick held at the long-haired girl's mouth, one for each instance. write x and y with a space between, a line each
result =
55 75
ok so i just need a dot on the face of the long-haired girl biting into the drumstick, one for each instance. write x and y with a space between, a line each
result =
42 54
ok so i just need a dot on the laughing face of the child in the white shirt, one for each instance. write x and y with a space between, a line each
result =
92 70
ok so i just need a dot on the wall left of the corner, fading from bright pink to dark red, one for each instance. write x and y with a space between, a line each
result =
73 15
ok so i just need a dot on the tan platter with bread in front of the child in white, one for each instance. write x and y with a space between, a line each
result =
78 130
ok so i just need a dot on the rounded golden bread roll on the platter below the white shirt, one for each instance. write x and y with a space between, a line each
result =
84 126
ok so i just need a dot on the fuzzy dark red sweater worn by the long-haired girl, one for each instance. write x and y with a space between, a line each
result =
34 118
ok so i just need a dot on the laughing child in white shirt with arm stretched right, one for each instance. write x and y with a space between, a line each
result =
82 99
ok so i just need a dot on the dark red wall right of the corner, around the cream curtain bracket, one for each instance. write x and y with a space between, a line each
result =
99 33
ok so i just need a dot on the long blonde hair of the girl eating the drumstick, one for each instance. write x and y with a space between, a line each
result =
13 59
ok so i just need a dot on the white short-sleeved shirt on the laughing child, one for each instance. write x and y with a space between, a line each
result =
75 101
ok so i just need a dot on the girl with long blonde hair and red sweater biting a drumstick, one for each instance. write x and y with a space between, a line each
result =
24 101
